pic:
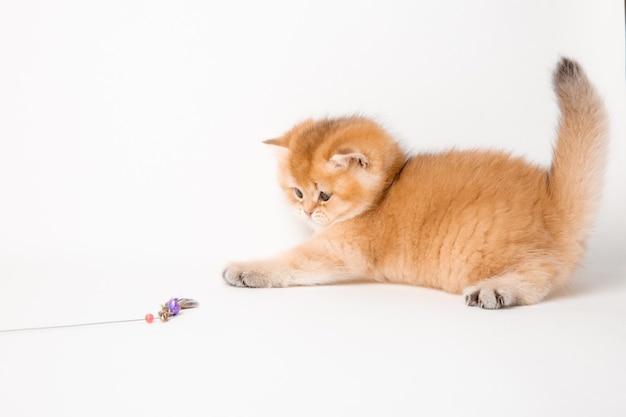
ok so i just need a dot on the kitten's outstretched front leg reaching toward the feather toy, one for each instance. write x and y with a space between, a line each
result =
316 262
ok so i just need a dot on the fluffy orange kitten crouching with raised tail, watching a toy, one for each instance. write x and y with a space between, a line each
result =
498 230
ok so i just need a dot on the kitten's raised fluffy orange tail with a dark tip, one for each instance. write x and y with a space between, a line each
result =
576 176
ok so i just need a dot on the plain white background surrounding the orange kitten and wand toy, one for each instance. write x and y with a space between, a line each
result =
132 170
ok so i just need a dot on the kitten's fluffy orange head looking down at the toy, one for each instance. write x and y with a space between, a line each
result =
334 169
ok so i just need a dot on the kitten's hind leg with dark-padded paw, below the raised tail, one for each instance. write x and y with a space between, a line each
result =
510 289
